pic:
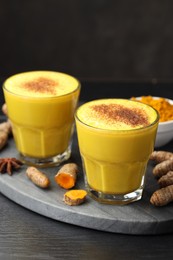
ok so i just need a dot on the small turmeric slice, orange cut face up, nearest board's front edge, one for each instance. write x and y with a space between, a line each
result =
75 197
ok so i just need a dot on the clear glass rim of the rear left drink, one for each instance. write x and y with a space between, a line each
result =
78 87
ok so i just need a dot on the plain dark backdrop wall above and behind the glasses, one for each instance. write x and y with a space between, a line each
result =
90 39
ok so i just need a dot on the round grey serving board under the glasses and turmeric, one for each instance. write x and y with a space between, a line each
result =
137 218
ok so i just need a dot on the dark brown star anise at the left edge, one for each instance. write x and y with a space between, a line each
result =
7 165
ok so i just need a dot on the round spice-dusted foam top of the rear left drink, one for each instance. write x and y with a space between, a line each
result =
41 84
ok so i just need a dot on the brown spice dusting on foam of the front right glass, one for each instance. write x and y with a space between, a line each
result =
112 113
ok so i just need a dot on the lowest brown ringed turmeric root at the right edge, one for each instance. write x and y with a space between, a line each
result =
162 196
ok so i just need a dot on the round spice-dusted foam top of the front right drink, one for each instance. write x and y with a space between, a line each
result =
116 114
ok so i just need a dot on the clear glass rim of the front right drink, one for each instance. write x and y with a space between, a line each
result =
117 130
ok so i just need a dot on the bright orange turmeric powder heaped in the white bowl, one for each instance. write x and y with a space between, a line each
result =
162 105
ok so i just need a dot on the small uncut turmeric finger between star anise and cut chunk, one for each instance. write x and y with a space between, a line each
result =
37 177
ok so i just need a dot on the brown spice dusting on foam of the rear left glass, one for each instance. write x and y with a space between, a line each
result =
41 85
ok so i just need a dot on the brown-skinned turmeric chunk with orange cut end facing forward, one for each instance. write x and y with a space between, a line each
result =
67 175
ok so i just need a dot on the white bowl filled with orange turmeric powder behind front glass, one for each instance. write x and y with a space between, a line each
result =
164 106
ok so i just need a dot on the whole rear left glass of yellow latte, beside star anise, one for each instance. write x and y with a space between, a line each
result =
41 106
